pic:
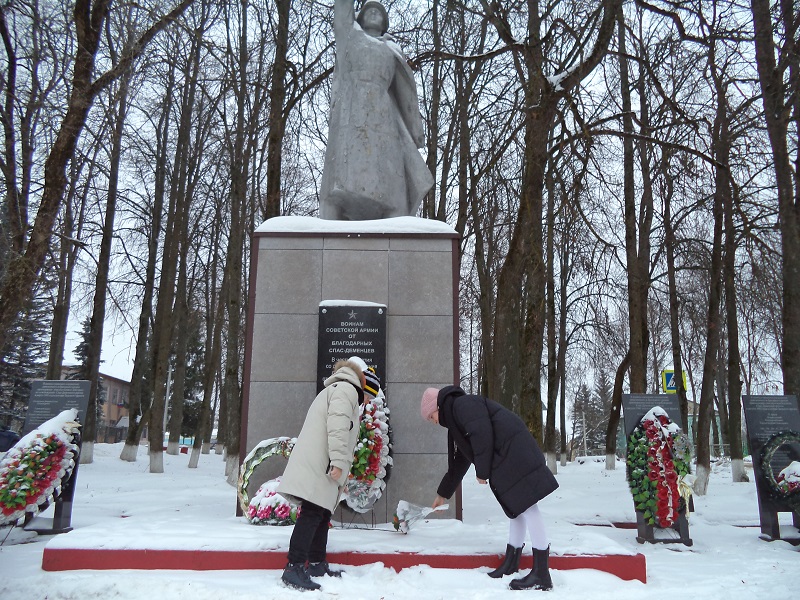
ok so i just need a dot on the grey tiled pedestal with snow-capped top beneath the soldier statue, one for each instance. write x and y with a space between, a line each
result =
409 265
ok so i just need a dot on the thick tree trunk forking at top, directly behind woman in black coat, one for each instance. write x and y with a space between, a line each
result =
513 372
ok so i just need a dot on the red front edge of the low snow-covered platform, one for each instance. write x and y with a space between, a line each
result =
626 567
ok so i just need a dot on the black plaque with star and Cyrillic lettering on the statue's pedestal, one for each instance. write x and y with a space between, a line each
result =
345 330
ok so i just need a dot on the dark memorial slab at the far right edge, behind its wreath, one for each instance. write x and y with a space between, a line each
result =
765 416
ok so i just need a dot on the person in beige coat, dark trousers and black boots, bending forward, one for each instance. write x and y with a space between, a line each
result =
318 468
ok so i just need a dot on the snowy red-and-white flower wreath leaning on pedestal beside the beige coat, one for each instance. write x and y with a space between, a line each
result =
371 460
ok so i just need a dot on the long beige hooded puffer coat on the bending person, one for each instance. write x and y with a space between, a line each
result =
328 439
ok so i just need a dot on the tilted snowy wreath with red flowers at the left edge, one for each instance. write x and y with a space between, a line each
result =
33 471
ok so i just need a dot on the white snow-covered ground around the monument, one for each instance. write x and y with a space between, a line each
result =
194 508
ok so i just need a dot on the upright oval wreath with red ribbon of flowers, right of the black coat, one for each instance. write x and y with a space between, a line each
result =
659 458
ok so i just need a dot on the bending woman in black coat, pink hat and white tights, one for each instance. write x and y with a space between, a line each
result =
506 456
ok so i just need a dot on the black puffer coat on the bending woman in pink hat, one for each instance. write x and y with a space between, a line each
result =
497 442
